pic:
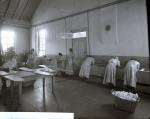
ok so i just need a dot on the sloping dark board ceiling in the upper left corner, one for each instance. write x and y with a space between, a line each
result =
18 9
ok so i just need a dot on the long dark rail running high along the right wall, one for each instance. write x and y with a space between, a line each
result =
85 11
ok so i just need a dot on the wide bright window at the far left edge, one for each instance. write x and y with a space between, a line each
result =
7 39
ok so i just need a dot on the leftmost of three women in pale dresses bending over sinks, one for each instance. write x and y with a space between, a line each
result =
85 67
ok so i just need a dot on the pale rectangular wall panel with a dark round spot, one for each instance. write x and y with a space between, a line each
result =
108 25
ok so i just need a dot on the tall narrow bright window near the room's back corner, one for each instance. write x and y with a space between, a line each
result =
42 38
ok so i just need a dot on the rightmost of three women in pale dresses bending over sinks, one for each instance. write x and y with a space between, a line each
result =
130 70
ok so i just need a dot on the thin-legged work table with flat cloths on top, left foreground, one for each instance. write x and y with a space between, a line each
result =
20 77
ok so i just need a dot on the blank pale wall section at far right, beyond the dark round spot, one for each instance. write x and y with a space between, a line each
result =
132 28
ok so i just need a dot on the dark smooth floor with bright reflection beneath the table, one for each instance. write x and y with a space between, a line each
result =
86 100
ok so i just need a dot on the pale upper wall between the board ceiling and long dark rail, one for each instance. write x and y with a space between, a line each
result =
52 9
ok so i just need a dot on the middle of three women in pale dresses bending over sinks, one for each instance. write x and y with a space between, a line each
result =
110 71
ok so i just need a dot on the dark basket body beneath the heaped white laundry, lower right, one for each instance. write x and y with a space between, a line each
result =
125 105
